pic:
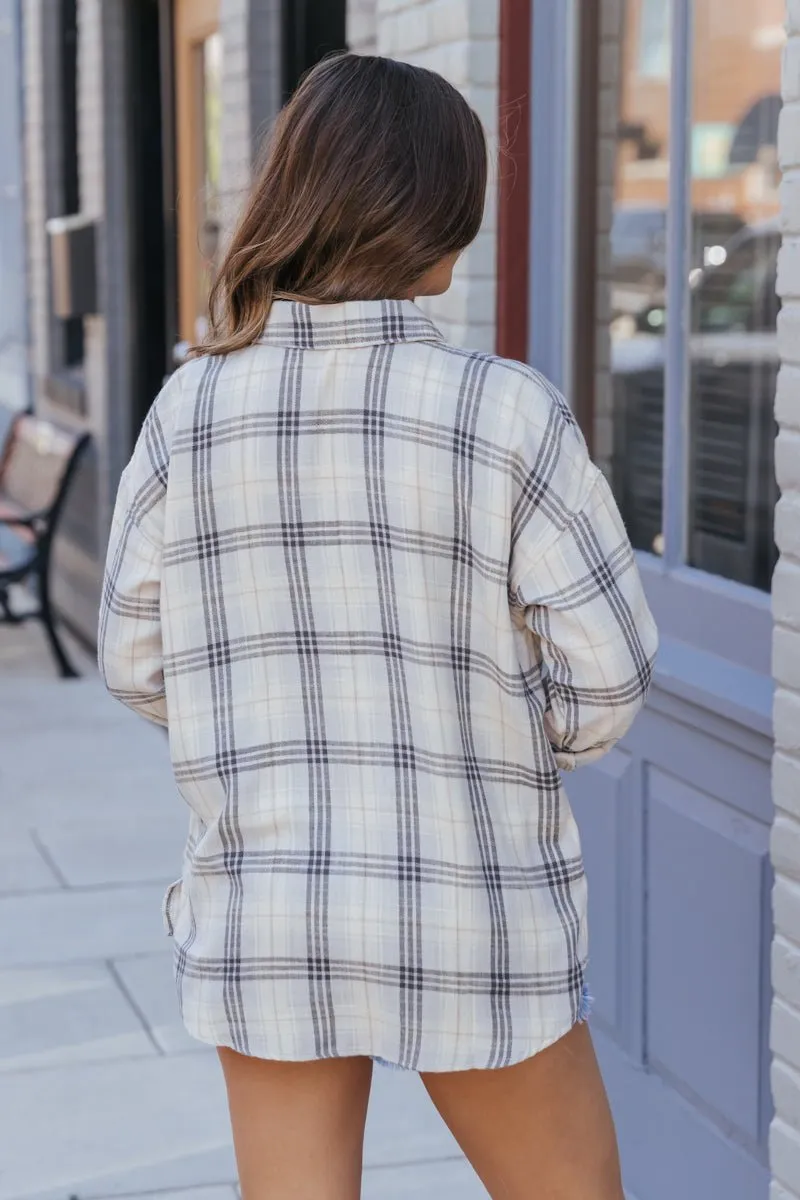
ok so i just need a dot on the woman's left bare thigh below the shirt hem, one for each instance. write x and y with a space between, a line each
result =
298 1126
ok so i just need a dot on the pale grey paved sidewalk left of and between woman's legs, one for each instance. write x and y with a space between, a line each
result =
103 1094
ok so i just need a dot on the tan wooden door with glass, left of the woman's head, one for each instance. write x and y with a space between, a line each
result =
199 73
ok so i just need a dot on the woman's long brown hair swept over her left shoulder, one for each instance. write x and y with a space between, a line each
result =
376 171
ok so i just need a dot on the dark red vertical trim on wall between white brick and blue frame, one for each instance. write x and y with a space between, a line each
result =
514 187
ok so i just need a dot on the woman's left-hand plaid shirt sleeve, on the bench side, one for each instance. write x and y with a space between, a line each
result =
129 644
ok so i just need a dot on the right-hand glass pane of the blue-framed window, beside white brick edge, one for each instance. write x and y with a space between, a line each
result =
733 349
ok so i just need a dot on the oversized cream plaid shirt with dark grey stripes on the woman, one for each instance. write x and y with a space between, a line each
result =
380 595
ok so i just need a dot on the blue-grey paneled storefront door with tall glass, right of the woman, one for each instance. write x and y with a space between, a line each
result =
676 823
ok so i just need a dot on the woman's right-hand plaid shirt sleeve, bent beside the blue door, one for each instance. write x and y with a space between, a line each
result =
576 578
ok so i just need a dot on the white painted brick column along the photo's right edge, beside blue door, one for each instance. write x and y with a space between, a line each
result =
785 1141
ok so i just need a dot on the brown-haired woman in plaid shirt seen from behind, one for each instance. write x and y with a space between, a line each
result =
380 596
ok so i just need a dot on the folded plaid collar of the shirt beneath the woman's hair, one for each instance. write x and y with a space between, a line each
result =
353 323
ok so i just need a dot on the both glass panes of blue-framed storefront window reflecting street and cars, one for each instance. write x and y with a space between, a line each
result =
726 367
